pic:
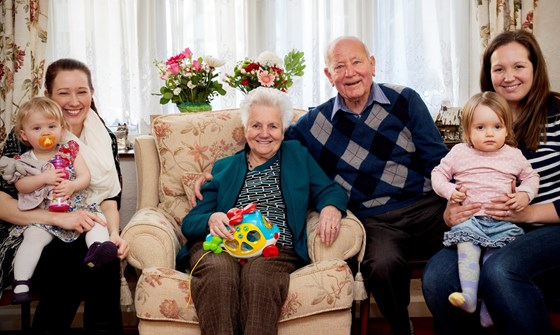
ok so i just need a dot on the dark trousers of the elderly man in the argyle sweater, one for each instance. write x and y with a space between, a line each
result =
394 238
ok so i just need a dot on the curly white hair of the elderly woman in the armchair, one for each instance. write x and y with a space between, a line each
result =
270 97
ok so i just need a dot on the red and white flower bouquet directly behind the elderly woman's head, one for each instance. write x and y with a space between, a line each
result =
268 70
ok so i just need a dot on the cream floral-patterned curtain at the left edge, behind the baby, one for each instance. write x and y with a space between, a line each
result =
23 36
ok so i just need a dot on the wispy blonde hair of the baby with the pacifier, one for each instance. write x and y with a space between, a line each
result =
50 109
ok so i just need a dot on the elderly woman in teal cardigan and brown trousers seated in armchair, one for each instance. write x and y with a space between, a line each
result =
232 298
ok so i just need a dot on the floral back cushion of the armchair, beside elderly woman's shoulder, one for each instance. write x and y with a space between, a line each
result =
191 146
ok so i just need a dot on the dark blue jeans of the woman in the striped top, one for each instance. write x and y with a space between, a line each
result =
516 283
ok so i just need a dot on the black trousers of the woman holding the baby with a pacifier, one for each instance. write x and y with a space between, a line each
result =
63 281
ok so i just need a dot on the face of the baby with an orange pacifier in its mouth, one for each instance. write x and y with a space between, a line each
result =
37 128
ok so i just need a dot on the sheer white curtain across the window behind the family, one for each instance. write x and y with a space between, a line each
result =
417 43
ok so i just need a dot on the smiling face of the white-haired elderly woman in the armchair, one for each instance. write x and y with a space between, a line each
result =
264 132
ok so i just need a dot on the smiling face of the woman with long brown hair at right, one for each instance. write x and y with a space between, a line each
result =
511 73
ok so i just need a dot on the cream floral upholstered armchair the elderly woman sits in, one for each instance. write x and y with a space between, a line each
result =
179 149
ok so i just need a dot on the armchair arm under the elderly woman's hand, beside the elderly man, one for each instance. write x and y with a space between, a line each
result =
350 241
